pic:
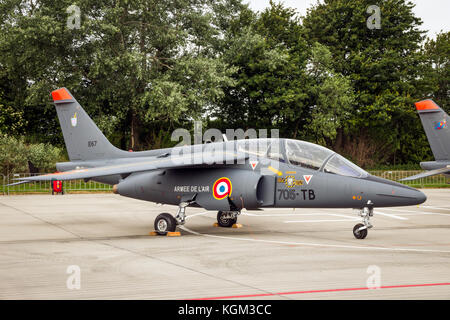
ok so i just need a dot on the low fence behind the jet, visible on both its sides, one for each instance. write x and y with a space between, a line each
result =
438 181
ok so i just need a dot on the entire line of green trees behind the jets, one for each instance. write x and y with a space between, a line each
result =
142 68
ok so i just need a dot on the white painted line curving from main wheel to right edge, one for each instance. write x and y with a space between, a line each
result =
324 245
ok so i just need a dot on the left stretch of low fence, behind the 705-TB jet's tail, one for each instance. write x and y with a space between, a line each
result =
44 186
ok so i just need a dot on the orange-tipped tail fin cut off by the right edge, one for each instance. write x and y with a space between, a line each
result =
435 123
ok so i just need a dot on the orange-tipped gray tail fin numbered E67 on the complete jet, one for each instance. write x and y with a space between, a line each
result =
83 139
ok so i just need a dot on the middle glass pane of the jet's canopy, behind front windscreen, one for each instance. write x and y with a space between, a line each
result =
305 154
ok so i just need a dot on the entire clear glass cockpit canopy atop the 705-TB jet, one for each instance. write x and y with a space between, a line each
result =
303 154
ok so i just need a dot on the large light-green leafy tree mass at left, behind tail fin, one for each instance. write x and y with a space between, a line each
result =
137 60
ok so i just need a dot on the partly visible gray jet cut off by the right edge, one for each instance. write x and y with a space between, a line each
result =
435 123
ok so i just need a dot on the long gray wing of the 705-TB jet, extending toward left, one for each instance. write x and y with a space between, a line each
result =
168 162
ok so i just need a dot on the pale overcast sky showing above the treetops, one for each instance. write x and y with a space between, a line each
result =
434 13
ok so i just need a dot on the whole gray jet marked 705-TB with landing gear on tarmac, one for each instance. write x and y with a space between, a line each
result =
226 176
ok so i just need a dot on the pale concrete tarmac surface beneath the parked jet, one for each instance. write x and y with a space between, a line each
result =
46 241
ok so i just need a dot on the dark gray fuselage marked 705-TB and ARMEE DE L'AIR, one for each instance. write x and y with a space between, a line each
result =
282 173
